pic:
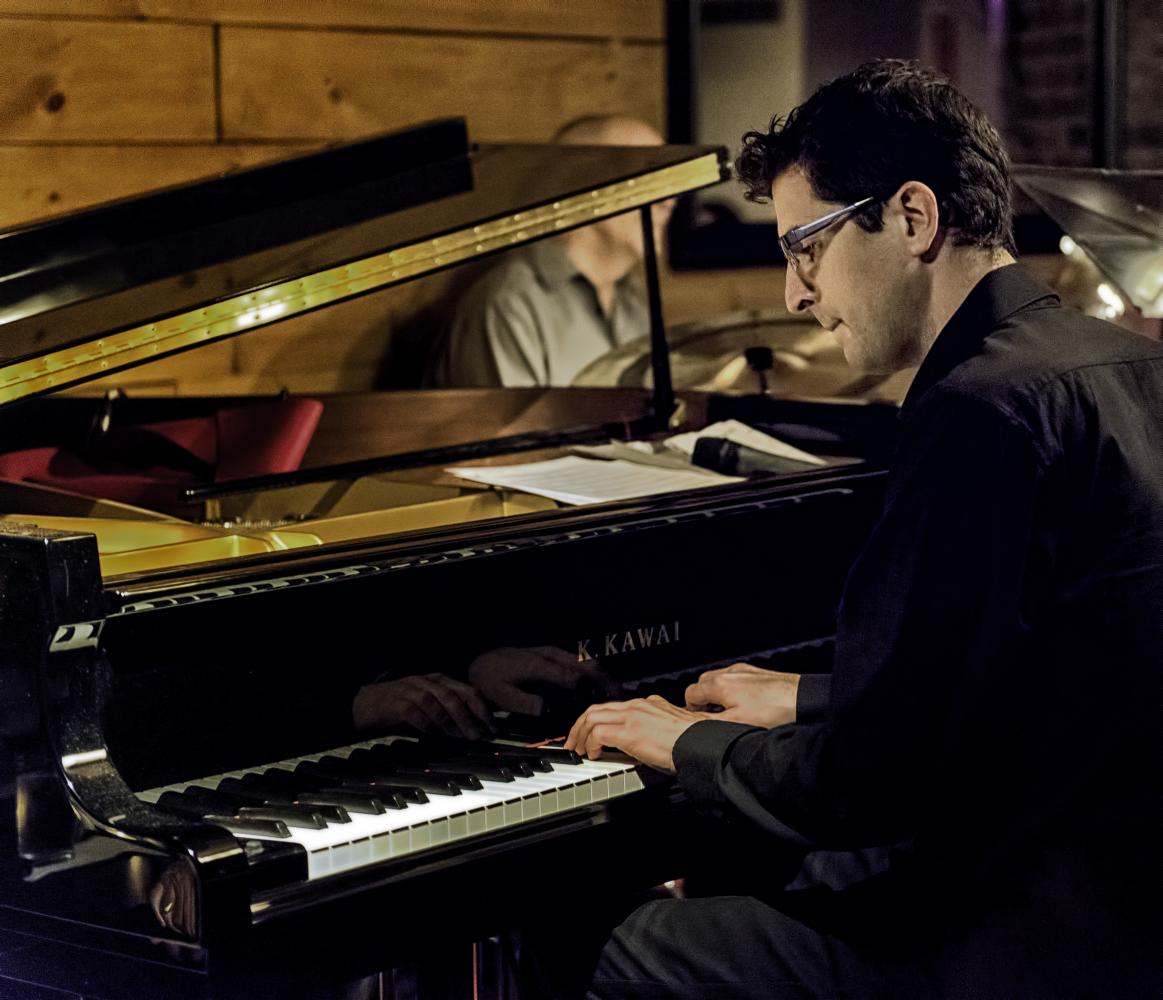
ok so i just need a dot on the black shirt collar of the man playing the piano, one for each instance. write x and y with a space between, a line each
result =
1000 295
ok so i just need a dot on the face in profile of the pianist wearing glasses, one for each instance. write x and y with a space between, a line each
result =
852 282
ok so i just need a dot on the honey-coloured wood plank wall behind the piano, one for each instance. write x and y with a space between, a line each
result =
101 99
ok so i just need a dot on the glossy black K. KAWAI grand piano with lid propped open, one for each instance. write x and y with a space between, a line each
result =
194 590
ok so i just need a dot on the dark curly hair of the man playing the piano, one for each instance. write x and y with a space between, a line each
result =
889 122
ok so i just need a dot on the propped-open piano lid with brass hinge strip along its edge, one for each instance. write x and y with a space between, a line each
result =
87 295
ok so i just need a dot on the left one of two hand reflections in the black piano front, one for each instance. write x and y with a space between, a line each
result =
429 704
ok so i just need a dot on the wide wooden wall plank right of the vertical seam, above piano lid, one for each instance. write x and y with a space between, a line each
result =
311 84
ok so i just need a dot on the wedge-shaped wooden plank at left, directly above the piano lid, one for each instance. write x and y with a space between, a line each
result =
39 181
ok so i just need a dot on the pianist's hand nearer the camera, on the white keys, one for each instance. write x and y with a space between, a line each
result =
646 728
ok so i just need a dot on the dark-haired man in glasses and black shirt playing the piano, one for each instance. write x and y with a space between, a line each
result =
991 731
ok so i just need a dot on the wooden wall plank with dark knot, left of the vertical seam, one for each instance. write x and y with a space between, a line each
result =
68 81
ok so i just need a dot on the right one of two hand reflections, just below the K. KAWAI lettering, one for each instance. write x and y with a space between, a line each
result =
505 677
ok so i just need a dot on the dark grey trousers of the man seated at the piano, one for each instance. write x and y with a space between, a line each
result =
743 948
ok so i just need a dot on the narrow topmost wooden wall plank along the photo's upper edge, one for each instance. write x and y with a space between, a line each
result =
634 19
